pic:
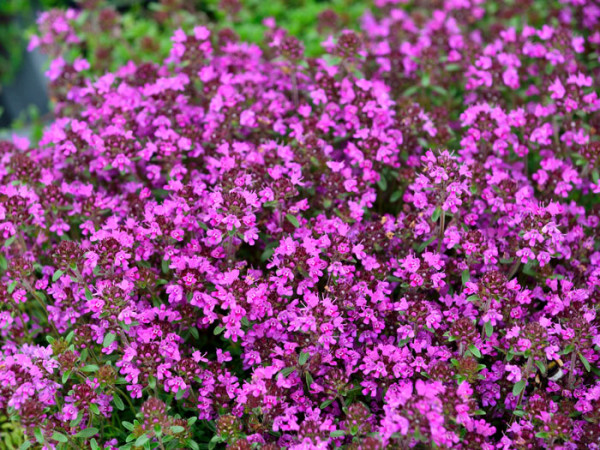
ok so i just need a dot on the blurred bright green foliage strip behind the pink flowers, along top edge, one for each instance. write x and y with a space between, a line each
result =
143 33
